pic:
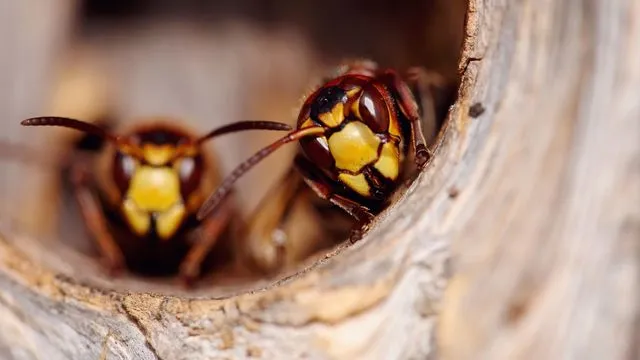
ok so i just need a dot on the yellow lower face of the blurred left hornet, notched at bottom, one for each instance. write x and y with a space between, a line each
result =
154 190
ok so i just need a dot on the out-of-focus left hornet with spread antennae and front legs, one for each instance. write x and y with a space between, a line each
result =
140 199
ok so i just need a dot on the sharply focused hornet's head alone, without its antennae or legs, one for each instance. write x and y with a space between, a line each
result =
372 99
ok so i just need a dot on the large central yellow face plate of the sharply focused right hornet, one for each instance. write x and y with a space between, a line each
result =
354 146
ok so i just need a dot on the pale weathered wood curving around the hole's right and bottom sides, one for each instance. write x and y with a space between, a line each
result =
531 207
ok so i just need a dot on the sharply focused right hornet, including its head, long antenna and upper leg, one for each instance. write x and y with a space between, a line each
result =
355 132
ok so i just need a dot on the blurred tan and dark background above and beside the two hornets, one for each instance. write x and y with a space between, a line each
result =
201 61
